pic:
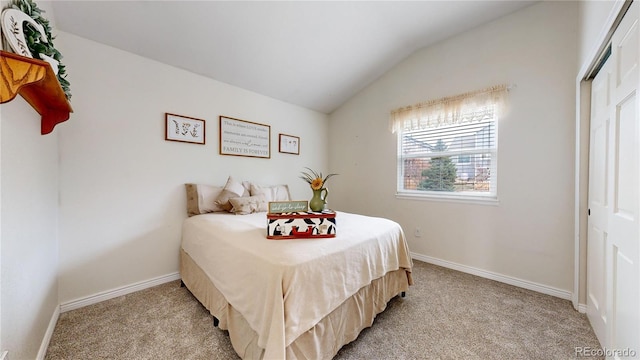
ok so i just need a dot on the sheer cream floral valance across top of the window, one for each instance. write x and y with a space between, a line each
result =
459 109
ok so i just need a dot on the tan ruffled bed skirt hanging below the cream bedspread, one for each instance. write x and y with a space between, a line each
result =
323 341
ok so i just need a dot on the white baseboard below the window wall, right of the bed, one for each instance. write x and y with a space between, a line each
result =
525 284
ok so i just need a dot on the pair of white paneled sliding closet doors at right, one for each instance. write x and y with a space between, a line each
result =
613 261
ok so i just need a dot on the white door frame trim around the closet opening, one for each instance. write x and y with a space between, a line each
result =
581 173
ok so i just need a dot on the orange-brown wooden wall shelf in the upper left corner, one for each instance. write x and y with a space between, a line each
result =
35 81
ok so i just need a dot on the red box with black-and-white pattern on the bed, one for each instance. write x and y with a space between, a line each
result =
301 225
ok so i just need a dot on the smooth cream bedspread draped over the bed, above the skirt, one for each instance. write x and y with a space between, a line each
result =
284 287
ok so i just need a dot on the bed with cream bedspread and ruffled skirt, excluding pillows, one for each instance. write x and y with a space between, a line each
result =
293 299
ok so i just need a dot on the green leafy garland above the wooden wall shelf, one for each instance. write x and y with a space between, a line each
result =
36 46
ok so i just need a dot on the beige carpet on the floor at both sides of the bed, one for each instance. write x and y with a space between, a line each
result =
446 315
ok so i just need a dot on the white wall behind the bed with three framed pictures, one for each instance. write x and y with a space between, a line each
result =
122 197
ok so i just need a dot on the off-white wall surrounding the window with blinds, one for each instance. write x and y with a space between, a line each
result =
529 235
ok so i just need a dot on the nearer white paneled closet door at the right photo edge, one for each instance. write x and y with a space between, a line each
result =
624 214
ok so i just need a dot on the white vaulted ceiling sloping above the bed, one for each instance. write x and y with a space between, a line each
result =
315 54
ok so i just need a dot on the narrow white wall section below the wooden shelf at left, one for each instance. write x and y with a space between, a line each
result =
29 229
